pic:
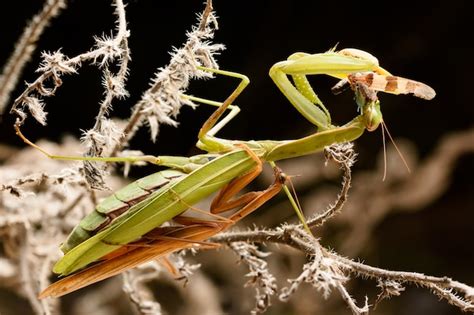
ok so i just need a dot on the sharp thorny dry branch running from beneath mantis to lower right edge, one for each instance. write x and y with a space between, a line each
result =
321 272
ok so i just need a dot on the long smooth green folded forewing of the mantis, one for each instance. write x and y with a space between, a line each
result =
159 207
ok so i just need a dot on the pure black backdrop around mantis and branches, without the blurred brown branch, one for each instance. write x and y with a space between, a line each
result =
428 41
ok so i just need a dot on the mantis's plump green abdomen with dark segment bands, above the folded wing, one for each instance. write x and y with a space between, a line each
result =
118 203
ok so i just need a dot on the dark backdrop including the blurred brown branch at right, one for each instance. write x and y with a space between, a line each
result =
430 232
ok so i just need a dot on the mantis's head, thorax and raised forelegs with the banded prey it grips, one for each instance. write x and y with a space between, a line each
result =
356 68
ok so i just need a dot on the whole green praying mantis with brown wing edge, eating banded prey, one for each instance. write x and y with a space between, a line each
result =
126 229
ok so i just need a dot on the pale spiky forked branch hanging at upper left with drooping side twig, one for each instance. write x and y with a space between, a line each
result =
56 64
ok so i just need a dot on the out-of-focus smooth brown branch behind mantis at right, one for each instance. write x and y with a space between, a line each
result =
398 193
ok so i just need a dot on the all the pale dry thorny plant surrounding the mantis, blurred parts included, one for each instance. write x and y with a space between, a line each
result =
38 209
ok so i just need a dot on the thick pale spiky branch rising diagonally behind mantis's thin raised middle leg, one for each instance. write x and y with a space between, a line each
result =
161 103
